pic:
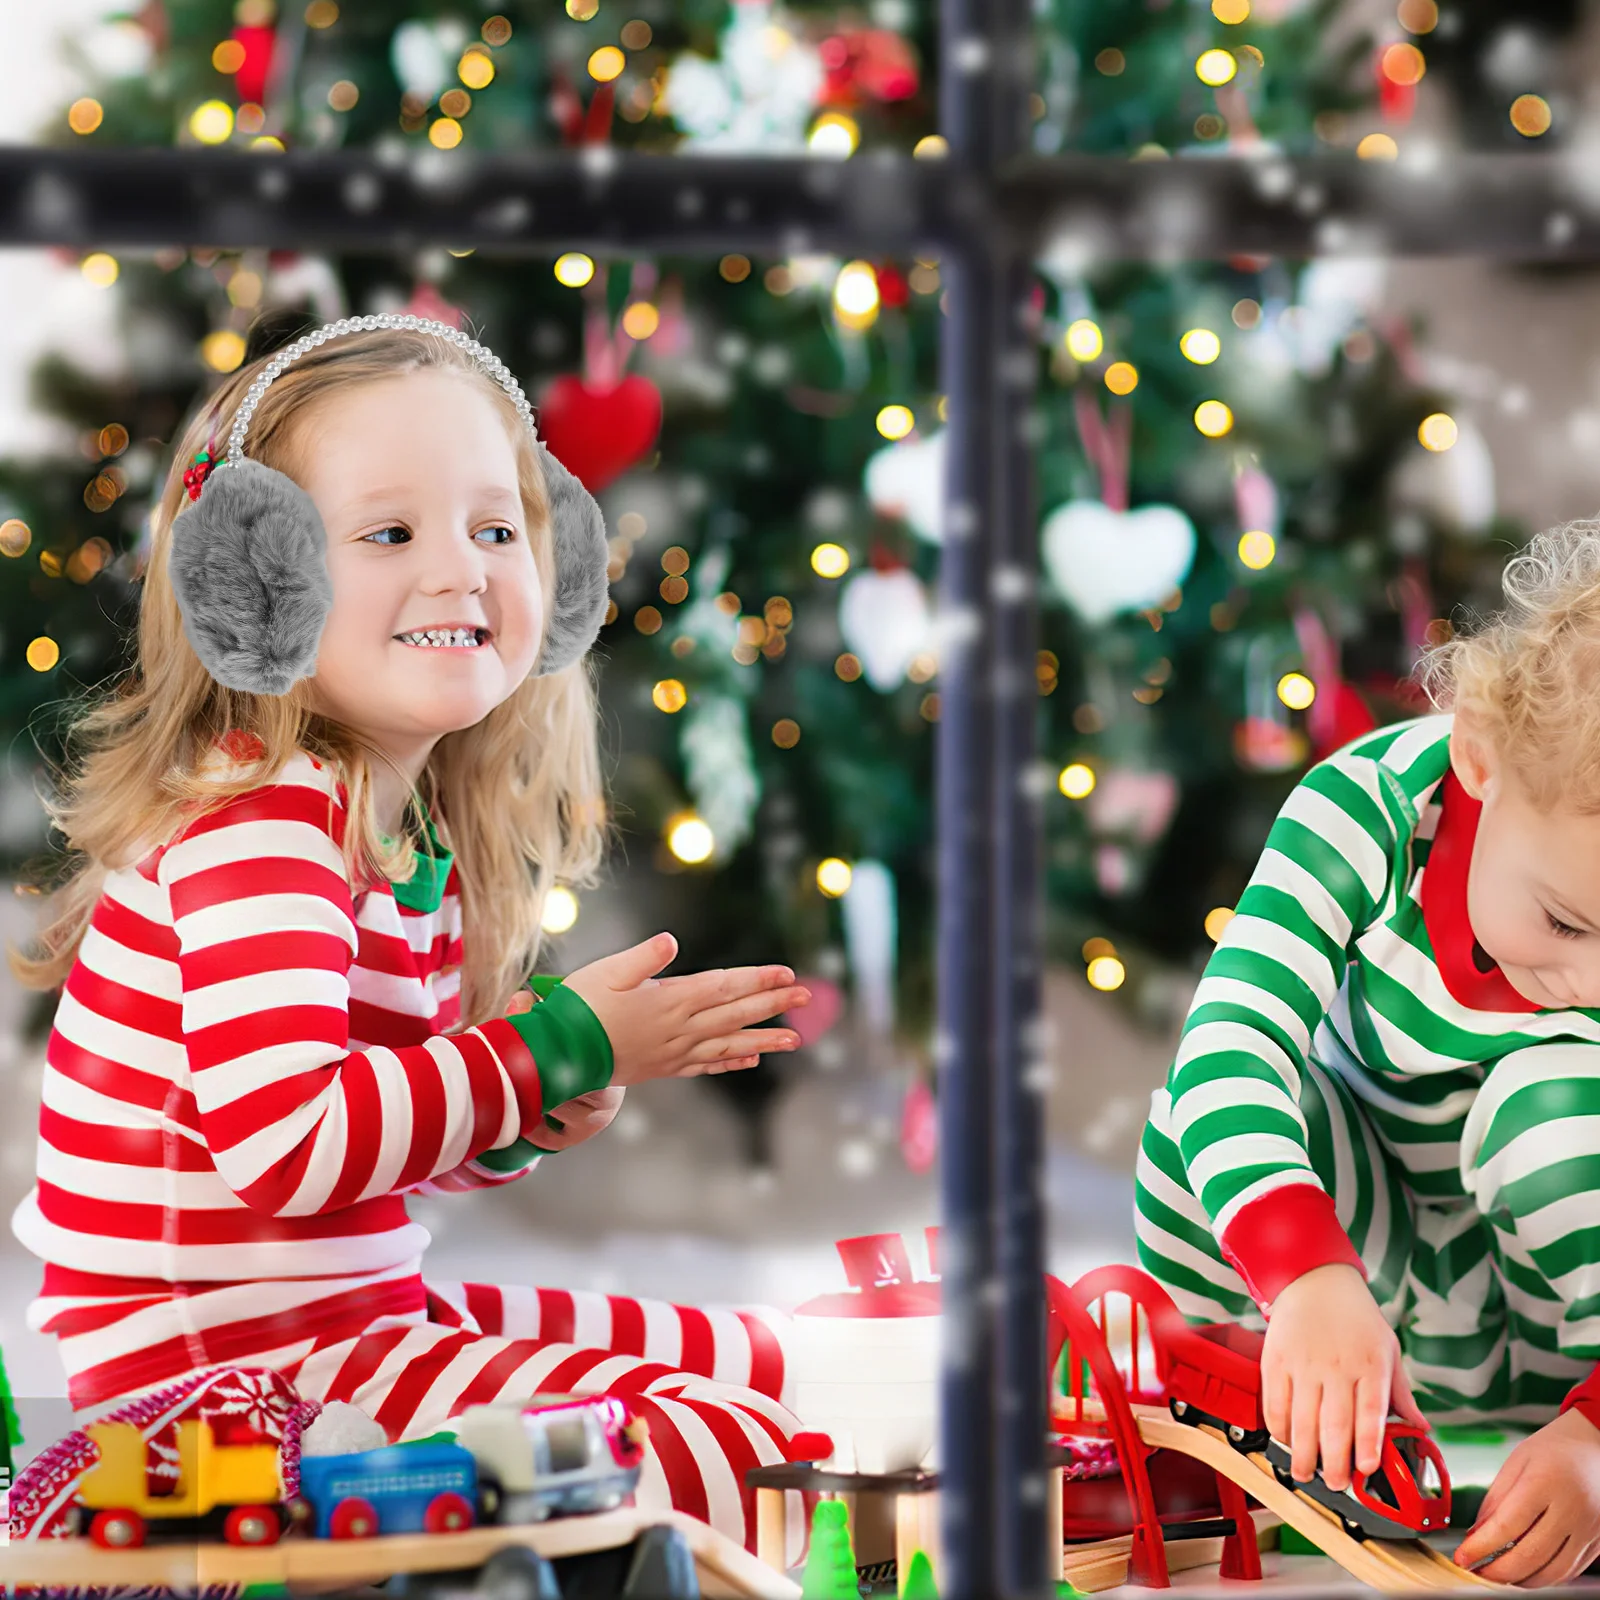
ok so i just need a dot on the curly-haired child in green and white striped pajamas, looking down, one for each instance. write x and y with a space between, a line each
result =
1383 1124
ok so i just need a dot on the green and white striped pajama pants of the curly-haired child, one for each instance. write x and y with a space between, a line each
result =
1495 1292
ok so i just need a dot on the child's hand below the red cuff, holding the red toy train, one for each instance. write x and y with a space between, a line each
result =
1330 1372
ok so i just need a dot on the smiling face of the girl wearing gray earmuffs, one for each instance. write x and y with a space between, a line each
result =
417 482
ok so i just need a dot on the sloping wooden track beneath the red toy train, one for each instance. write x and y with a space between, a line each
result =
1391 1566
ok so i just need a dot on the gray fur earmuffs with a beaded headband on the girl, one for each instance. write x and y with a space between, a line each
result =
250 556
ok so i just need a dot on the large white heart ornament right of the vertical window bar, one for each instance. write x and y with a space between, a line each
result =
1105 562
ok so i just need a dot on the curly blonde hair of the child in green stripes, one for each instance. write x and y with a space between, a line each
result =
1529 678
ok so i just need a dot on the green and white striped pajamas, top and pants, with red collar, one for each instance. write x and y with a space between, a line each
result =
1358 1082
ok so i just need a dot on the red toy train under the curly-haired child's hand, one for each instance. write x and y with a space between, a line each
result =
1214 1375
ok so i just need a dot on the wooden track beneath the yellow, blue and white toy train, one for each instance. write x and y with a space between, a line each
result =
726 1569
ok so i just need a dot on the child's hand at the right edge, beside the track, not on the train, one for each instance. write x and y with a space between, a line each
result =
1548 1500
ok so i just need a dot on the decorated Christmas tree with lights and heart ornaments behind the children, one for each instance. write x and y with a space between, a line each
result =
1254 511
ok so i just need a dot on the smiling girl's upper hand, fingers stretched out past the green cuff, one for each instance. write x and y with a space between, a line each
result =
681 1028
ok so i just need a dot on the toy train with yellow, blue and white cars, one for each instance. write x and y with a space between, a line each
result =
506 1465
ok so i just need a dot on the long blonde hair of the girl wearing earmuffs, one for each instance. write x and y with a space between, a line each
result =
518 796
